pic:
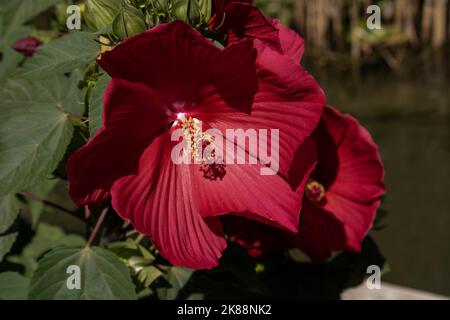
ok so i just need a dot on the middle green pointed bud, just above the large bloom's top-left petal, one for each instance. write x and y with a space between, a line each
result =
129 22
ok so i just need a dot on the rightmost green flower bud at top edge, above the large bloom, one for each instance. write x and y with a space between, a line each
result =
194 12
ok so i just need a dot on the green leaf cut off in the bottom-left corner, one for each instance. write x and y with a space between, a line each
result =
13 286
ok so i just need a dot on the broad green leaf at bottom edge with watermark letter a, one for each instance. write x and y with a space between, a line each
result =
103 276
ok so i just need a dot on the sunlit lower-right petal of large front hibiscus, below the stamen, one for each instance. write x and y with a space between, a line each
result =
243 191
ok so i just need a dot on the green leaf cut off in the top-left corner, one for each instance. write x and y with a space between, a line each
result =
16 13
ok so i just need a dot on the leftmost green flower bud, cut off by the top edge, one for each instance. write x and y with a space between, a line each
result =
100 13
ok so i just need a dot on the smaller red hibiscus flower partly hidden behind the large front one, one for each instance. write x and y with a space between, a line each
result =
341 197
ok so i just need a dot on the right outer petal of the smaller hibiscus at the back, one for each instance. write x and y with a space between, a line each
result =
354 180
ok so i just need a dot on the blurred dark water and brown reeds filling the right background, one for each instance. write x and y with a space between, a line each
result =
396 81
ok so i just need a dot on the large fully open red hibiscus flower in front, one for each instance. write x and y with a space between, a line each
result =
170 78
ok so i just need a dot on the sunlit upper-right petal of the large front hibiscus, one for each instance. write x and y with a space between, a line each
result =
288 100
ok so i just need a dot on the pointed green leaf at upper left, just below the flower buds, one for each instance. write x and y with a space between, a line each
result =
62 55
